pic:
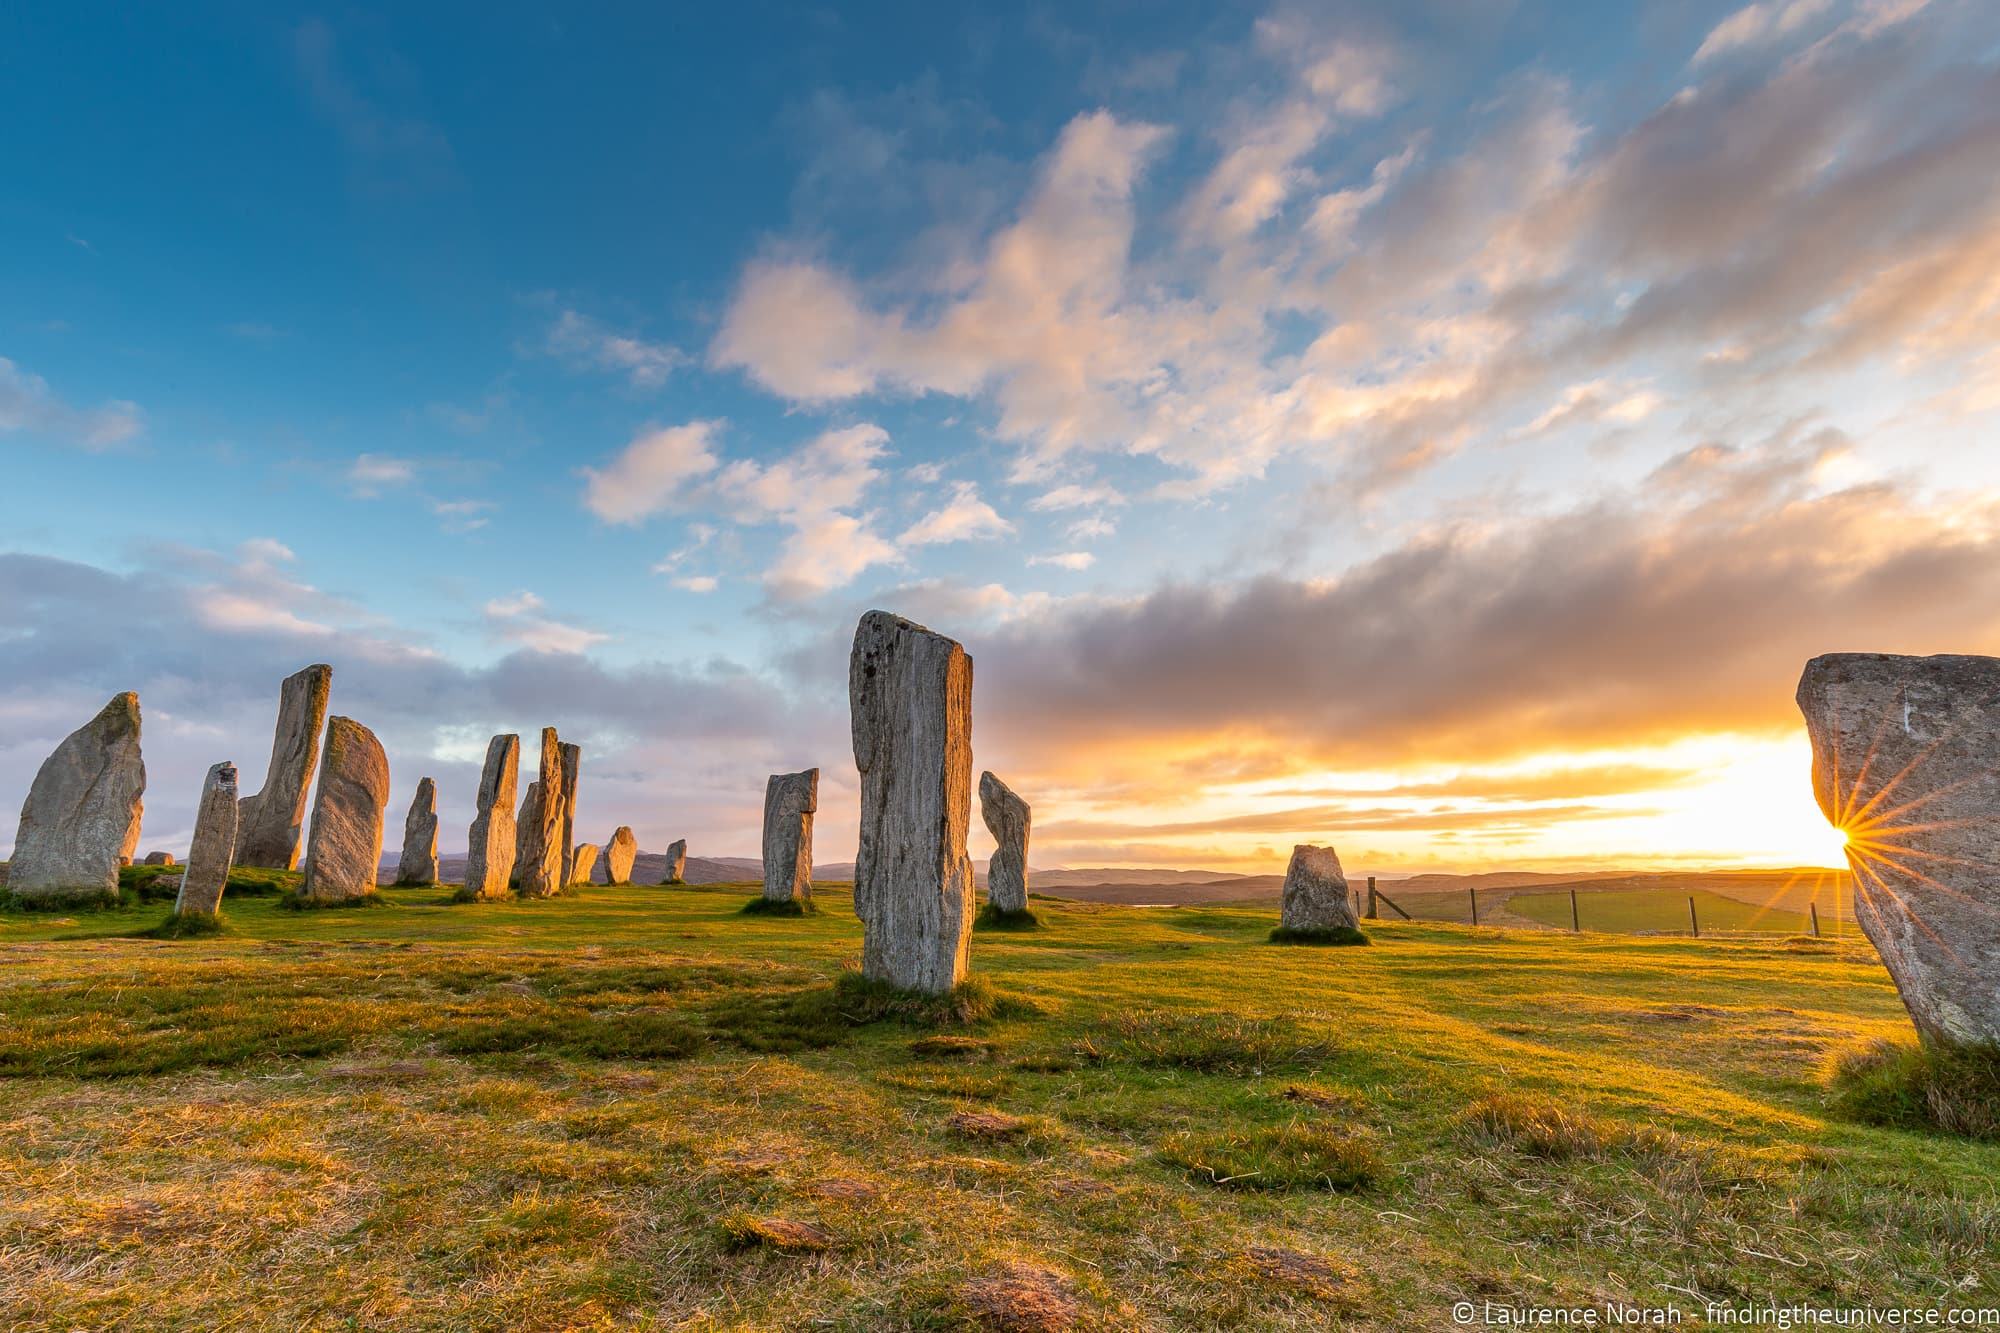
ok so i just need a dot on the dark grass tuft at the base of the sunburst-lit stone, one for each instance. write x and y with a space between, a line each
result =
1935 1086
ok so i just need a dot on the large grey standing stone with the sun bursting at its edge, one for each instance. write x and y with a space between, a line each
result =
1907 764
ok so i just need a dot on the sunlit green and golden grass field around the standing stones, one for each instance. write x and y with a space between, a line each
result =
639 1108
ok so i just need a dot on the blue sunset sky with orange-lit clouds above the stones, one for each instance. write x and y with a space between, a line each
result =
1437 429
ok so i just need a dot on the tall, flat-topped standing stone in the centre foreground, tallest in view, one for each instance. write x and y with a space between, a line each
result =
911 712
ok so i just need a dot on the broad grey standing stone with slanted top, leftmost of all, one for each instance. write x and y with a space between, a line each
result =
83 812
